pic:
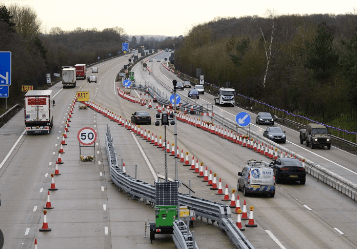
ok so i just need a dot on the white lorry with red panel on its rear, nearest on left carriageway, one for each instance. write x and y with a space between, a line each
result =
38 111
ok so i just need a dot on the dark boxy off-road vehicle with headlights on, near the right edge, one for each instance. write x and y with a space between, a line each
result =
316 135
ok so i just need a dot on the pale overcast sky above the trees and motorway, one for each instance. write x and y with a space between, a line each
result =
170 18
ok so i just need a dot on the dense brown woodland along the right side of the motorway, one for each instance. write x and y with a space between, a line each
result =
305 64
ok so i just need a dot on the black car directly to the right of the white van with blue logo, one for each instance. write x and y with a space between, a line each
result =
289 169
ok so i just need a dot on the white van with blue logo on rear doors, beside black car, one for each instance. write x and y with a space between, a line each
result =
256 178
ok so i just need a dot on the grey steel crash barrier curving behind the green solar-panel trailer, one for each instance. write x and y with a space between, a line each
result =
216 212
